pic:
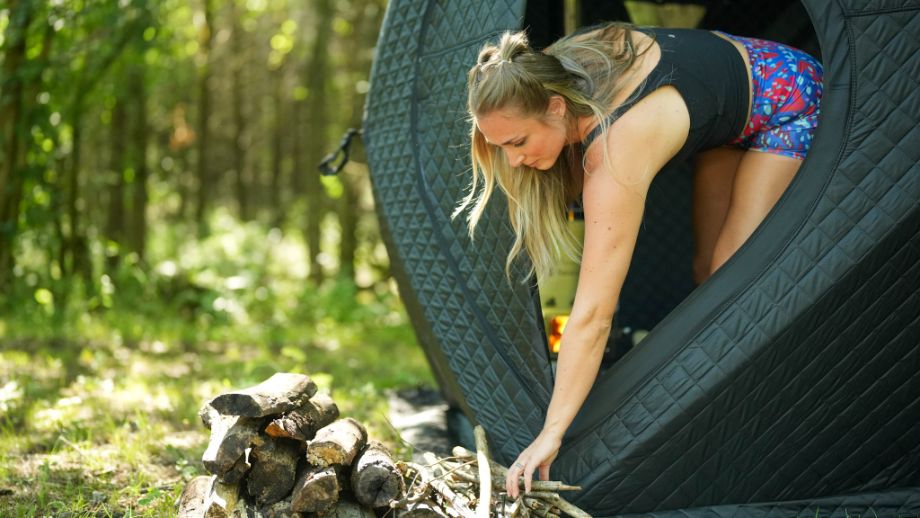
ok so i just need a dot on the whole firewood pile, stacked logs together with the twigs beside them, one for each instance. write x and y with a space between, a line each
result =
280 450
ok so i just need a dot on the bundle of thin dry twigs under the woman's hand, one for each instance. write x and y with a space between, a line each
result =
471 485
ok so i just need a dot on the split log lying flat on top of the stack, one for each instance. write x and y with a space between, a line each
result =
282 392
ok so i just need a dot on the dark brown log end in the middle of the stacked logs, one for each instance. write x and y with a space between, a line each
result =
274 470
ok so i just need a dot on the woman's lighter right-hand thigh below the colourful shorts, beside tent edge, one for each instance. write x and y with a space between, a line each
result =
759 182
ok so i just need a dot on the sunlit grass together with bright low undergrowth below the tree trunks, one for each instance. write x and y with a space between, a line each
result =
99 403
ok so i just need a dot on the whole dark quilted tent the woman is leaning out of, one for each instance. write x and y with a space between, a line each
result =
786 385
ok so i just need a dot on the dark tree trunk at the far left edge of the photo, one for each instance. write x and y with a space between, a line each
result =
11 107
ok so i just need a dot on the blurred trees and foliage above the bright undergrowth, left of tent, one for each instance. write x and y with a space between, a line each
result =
118 117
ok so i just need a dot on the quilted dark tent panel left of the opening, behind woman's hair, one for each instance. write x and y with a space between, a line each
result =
410 151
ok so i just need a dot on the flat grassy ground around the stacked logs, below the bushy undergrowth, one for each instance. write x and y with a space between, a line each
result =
98 412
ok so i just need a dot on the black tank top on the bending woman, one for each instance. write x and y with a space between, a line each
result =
711 77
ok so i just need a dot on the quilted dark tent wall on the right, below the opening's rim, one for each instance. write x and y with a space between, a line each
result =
835 324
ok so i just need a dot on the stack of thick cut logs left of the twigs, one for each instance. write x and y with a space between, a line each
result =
279 449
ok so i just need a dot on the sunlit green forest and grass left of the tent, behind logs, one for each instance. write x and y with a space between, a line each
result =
165 236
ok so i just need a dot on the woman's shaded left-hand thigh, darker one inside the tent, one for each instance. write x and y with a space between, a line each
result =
713 177
